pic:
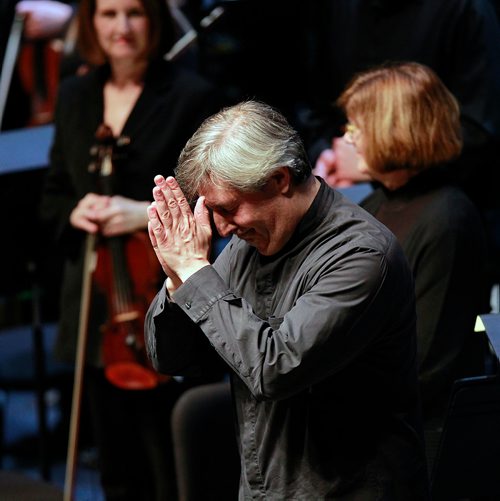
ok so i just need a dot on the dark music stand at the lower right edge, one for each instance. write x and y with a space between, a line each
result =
468 458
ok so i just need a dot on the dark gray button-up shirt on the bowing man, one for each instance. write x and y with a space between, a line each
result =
320 343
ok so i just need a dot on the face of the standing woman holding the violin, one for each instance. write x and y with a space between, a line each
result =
122 29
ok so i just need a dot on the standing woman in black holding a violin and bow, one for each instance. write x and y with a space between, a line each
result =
150 107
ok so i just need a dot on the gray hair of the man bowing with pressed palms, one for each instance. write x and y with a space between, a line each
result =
240 147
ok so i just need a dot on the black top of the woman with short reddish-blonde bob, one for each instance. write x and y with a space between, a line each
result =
443 239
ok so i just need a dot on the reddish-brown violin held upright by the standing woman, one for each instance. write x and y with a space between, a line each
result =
127 272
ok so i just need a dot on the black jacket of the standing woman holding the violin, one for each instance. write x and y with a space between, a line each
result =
170 108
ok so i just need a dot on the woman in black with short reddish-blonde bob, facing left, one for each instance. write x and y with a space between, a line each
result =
405 127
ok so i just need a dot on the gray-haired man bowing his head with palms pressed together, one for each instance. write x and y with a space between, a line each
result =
310 305
